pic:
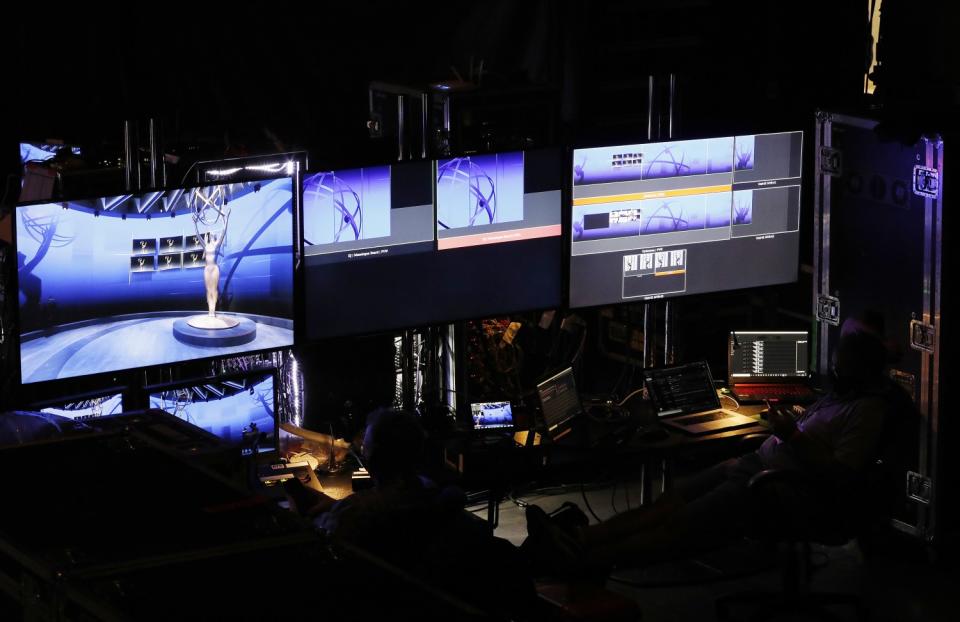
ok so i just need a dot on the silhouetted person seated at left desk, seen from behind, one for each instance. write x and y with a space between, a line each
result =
409 522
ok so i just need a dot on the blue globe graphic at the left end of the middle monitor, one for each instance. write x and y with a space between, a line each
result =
346 205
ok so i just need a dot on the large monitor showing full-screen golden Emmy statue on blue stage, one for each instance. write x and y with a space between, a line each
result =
156 278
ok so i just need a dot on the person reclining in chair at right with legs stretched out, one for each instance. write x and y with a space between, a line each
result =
831 444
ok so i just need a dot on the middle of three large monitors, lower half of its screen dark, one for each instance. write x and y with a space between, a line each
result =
420 243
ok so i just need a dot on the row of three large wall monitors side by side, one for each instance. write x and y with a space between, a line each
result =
161 277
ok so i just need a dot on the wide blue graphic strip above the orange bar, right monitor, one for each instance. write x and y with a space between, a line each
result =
652 161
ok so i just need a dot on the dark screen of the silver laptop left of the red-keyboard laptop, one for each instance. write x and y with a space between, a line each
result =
680 389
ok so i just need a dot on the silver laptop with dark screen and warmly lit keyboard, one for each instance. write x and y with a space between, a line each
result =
684 398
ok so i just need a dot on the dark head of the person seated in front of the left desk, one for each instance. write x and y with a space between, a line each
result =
393 445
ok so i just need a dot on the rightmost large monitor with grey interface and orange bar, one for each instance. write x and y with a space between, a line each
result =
683 217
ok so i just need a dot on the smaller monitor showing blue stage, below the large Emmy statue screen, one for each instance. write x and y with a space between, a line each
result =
226 407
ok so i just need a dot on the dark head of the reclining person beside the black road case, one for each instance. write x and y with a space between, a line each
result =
860 356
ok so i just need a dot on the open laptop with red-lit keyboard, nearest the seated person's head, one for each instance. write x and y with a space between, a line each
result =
769 366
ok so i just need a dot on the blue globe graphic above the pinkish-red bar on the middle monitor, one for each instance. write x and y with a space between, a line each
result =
473 191
